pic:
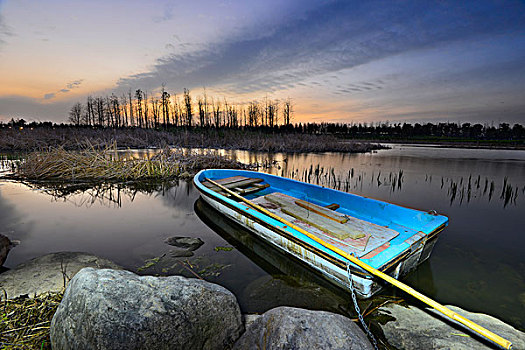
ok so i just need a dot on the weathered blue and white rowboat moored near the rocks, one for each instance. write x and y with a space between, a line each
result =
391 238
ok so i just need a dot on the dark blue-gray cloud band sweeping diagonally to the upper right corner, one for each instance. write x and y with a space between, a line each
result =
334 36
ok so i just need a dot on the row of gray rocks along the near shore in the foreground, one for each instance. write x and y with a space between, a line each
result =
107 307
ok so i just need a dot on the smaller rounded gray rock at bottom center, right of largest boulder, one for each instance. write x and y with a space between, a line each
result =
292 328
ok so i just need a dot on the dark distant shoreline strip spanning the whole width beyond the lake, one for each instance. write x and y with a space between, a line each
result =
71 138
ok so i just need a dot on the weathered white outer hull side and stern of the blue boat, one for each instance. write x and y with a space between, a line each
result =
330 267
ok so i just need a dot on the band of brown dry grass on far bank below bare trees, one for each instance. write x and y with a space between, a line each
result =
73 138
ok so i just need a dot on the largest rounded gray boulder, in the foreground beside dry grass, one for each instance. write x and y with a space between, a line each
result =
109 309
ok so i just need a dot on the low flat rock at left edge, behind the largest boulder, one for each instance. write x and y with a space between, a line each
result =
48 273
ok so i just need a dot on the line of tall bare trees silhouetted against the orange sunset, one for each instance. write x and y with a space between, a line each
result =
162 111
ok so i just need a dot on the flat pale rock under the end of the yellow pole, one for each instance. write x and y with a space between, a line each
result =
416 328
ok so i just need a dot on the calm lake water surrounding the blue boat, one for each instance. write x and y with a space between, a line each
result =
478 262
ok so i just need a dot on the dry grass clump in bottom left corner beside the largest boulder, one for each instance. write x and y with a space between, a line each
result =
25 322
